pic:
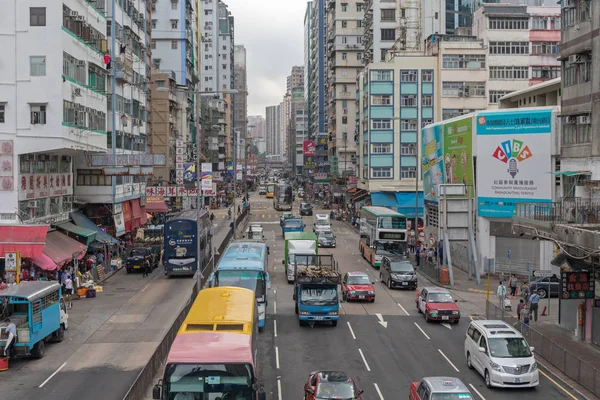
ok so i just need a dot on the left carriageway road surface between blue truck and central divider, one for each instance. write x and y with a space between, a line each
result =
109 341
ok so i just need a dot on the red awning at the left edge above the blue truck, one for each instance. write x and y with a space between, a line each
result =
29 240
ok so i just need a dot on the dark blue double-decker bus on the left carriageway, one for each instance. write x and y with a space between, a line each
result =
182 233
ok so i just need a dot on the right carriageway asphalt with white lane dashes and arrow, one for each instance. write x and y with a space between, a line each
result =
384 345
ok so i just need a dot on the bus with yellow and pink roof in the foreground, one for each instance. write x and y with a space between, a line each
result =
215 355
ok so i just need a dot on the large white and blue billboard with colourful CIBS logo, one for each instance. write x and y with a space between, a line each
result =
513 160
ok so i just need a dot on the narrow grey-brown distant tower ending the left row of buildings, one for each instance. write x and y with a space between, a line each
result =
240 119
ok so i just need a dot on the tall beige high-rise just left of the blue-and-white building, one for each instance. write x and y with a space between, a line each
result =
345 50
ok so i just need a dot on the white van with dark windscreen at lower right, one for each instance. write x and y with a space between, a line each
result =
501 355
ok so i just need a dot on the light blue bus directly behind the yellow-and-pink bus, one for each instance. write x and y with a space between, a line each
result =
244 264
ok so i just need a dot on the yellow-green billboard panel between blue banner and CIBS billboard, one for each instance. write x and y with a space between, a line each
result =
458 152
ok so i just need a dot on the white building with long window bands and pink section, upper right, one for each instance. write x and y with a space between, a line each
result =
523 49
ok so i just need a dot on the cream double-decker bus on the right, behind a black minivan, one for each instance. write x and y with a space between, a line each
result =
382 232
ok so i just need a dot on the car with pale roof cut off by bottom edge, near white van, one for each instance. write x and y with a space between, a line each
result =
439 387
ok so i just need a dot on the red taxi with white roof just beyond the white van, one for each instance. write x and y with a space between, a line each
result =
437 304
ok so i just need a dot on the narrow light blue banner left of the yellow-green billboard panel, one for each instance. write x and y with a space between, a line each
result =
432 162
